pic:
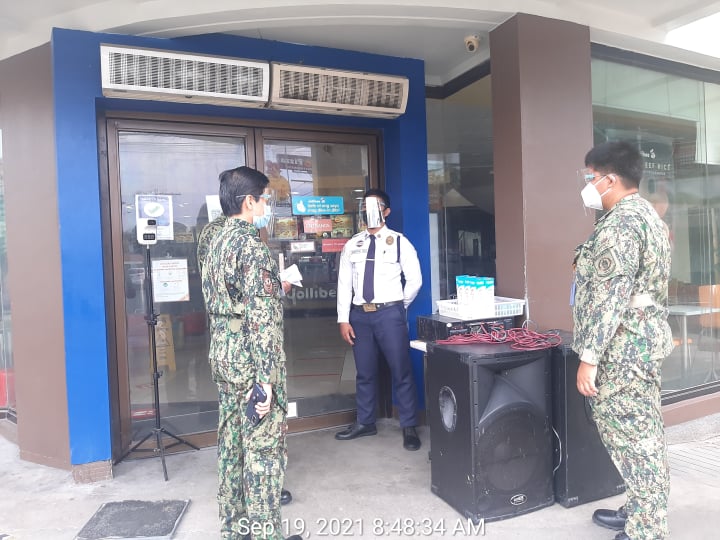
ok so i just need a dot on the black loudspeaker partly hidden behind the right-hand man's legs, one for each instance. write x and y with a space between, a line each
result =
584 471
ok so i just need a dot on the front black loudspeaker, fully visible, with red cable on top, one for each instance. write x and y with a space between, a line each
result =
490 429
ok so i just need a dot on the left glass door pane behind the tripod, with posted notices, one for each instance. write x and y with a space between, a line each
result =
175 173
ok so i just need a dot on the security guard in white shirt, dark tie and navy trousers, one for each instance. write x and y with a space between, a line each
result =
372 314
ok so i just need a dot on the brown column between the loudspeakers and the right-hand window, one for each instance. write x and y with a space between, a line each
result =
542 128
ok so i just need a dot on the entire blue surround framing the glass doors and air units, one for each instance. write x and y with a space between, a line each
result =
79 101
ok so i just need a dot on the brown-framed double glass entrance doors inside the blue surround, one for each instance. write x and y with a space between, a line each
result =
170 171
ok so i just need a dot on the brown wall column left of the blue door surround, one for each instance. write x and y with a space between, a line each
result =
33 248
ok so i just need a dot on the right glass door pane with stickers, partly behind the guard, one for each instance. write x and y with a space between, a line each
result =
318 186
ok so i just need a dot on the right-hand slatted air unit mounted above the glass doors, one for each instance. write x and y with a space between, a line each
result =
332 91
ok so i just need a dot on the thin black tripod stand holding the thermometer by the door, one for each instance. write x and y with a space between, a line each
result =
158 431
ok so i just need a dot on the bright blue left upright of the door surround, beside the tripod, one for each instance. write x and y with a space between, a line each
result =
75 63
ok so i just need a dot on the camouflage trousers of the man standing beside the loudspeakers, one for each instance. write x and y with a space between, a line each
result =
629 419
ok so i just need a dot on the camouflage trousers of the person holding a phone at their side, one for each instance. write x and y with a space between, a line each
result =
251 468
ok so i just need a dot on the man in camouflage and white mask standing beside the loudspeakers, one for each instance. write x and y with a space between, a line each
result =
622 335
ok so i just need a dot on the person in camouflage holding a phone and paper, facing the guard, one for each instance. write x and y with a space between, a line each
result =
241 288
